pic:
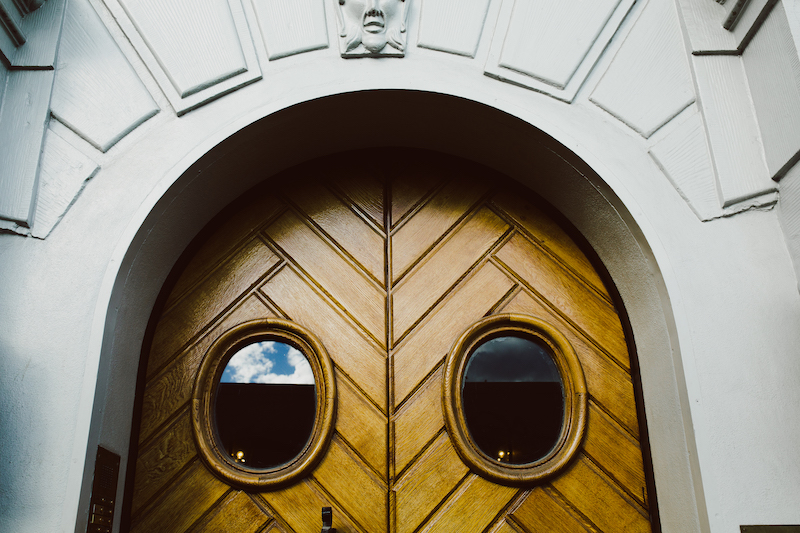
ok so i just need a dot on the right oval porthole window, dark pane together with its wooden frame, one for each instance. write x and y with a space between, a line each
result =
514 399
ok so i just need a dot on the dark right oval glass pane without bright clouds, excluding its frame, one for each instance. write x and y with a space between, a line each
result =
513 399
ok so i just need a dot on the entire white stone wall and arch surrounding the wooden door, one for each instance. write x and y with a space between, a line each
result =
669 141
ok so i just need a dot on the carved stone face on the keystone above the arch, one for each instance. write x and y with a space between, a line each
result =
367 26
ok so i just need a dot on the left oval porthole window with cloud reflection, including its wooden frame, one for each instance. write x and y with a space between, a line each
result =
264 403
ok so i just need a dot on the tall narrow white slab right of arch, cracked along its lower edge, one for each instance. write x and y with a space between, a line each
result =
732 129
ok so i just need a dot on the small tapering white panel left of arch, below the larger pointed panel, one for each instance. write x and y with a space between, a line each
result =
63 173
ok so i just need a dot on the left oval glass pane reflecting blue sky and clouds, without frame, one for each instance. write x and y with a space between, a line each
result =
266 404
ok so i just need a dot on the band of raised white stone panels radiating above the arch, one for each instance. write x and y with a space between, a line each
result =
648 64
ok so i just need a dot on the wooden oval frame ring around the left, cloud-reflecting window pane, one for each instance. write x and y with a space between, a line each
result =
203 397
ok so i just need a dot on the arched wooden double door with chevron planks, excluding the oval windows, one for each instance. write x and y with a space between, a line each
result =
387 256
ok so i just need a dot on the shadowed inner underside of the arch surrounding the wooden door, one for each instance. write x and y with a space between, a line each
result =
191 196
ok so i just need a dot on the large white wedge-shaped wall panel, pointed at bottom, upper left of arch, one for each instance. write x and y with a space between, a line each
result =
96 92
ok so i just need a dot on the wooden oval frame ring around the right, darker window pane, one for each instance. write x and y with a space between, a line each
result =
575 399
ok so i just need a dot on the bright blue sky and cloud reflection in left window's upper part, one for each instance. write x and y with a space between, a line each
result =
268 362
